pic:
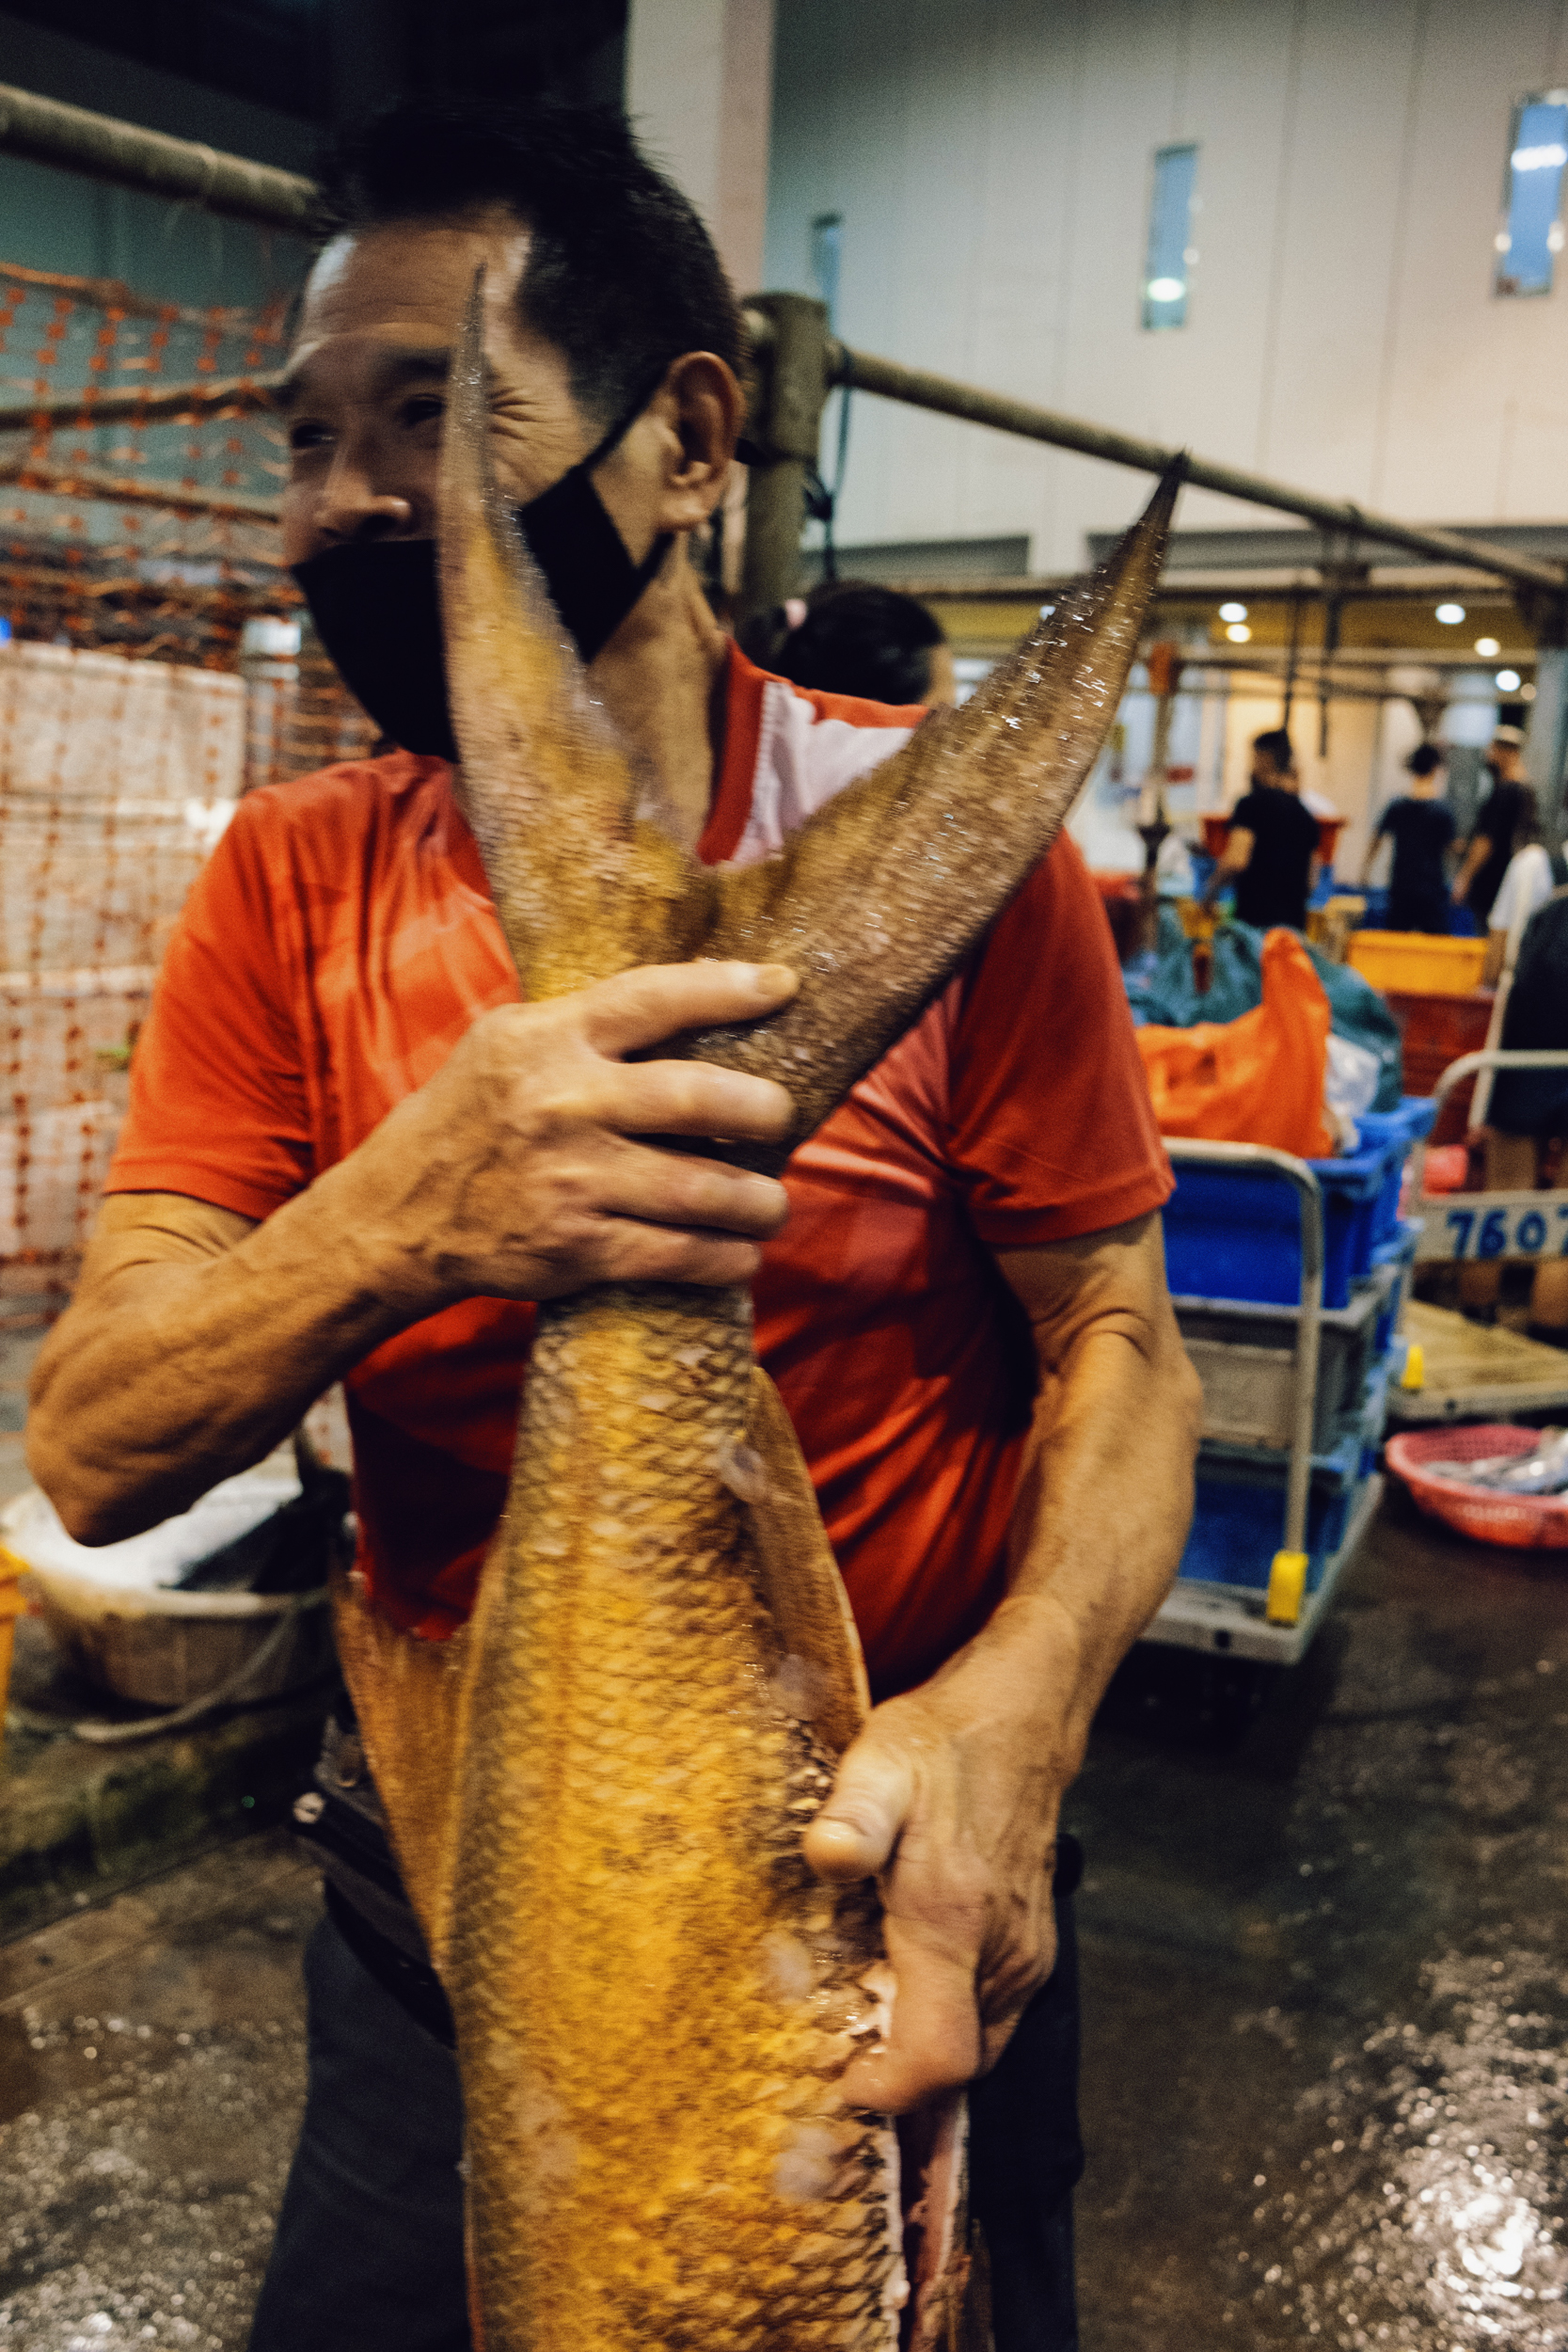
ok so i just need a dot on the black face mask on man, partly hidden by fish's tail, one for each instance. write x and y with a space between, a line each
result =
377 610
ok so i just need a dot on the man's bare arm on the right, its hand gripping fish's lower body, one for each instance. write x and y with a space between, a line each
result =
953 1791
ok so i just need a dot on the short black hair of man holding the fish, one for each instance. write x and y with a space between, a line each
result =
622 274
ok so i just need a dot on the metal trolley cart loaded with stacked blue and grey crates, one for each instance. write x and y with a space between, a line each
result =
1278 1521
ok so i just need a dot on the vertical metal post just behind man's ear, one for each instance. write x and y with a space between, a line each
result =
784 432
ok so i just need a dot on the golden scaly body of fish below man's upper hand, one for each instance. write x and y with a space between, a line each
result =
655 1998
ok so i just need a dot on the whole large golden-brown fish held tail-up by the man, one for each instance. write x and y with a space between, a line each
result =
598 1791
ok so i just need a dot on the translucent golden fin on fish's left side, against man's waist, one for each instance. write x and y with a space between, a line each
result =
413 1702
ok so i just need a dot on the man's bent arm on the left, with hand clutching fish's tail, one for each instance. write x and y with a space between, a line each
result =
196 1337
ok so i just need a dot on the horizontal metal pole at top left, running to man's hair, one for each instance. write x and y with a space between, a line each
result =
76 140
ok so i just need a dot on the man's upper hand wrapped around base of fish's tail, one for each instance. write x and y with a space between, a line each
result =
516 1172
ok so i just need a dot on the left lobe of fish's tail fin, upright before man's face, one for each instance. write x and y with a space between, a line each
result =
551 791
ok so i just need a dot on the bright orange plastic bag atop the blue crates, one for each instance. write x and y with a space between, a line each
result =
1259 1078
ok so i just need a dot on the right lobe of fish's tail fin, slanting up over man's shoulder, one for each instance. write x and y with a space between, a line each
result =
885 890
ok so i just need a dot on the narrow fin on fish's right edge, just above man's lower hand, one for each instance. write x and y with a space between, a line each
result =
822 1659
